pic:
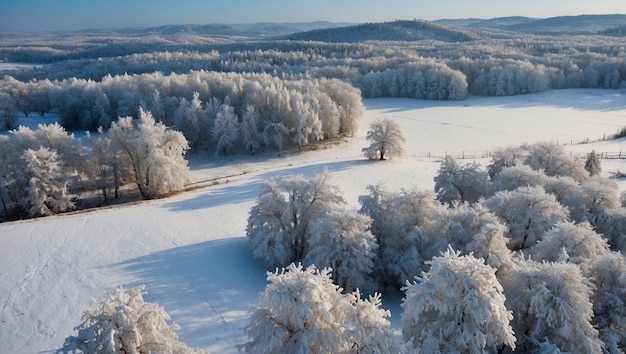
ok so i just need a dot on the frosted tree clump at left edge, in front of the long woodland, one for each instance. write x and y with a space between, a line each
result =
47 171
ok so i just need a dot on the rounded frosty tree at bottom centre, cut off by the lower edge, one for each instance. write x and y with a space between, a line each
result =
300 311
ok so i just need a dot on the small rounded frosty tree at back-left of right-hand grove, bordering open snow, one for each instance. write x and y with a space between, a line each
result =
460 183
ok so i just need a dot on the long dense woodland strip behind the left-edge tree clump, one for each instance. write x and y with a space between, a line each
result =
224 112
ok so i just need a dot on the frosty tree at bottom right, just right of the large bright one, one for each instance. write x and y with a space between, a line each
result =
551 304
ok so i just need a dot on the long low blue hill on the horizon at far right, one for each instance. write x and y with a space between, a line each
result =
583 24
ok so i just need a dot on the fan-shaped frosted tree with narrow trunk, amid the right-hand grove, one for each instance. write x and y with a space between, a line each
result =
528 212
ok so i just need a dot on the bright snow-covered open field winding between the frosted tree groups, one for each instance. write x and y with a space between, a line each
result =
190 250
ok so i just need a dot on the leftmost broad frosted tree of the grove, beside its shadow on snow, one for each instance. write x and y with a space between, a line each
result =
279 223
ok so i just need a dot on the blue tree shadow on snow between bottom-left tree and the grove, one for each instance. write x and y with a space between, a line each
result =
207 288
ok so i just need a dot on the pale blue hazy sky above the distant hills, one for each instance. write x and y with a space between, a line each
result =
32 15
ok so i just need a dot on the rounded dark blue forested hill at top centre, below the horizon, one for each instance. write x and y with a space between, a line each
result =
387 31
